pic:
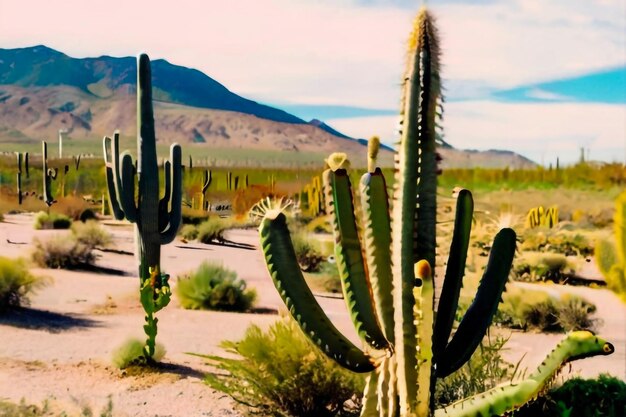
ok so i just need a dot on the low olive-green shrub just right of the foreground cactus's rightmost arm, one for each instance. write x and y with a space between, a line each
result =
537 310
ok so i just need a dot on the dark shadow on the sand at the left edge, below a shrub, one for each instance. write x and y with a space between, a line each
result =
28 318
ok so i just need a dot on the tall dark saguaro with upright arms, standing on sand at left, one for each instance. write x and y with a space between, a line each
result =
156 220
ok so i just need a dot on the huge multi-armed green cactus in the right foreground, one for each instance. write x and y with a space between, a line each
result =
386 269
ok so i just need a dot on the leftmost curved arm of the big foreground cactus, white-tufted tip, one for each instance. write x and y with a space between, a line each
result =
287 277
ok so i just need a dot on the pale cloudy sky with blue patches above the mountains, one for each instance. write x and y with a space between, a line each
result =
542 78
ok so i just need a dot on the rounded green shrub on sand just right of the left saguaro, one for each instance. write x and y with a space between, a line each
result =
213 287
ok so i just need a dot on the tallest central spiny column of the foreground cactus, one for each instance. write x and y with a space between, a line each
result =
414 241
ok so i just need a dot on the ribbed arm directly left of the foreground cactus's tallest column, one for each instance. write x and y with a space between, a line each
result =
377 241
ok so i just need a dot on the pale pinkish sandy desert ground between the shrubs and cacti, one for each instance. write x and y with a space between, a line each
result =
60 349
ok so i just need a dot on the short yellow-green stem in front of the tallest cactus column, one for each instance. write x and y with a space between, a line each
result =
424 323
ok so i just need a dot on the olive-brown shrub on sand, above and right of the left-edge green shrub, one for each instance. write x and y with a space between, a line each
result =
62 252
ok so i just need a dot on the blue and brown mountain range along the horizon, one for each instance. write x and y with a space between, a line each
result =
43 91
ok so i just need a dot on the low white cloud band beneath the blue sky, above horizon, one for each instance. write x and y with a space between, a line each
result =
540 131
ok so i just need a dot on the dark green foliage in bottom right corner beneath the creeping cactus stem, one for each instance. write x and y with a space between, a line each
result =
604 396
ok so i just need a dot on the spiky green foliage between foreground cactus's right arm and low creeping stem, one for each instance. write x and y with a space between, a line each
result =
483 371
